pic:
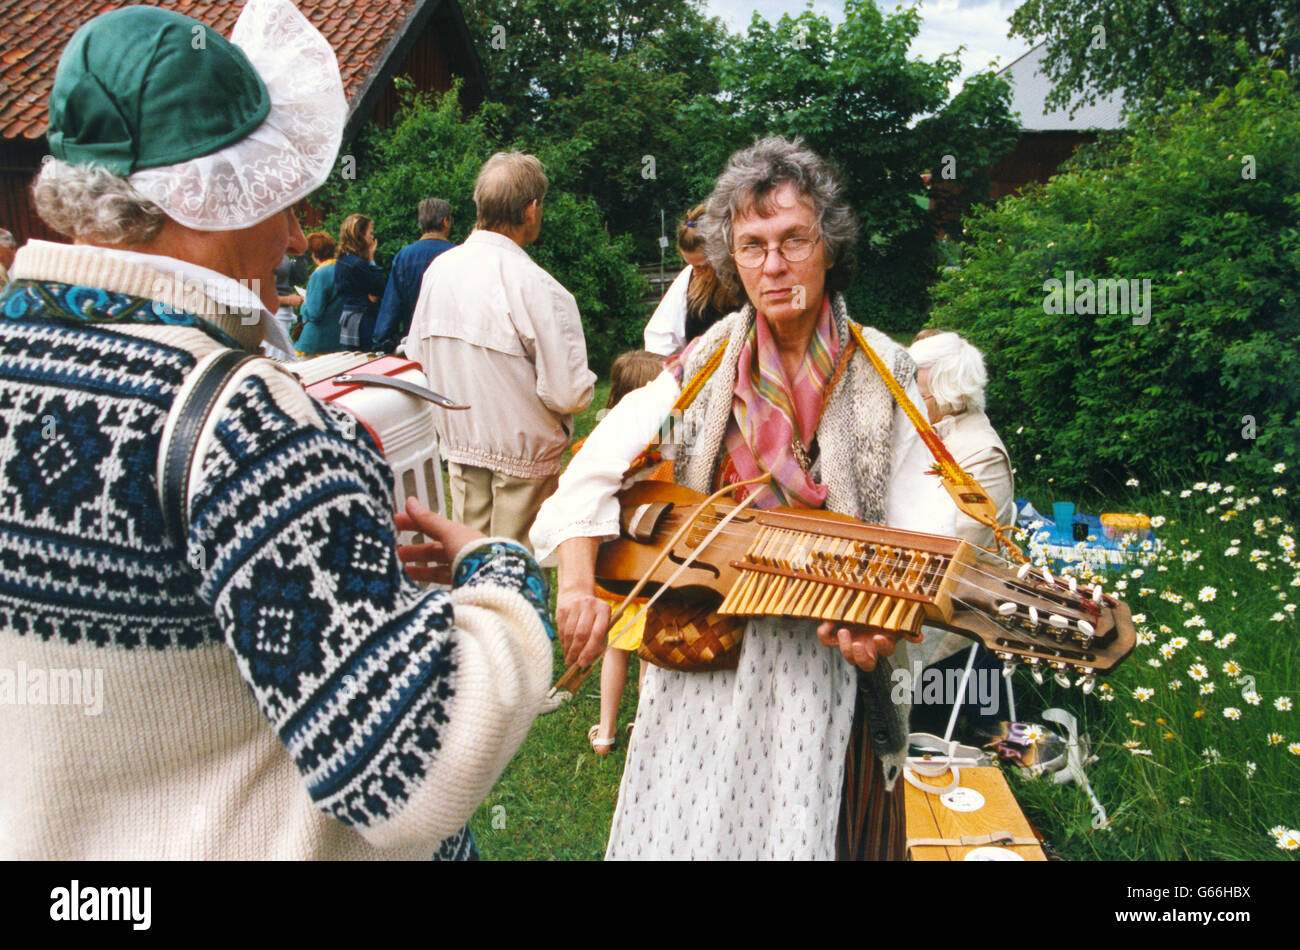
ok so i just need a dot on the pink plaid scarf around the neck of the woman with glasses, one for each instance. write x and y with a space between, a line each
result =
769 410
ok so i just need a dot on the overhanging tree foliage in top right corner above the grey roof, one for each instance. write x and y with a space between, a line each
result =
1152 50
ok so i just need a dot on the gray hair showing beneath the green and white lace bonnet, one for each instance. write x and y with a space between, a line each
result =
90 203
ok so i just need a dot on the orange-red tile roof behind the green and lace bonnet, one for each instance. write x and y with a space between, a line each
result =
33 34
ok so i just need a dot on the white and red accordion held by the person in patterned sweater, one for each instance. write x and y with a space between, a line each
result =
389 396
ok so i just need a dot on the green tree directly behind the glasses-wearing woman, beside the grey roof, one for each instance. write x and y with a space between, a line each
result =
855 96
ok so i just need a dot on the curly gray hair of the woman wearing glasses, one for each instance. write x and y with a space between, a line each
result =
749 181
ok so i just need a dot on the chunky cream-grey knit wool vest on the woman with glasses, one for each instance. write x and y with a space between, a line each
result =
856 435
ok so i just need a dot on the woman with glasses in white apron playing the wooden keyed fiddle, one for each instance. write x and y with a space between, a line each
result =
774 758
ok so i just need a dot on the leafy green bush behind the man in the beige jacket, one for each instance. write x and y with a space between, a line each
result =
432 150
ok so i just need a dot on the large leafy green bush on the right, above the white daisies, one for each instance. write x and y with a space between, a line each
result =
1206 205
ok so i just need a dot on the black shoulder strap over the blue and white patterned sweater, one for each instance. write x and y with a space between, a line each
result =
181 439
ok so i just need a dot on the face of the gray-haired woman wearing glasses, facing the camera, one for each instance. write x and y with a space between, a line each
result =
783 292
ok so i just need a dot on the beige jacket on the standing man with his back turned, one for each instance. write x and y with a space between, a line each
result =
497 332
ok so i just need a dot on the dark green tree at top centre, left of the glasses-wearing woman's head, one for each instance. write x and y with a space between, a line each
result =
618 88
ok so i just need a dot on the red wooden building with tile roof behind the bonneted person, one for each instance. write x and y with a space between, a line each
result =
375 41
